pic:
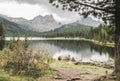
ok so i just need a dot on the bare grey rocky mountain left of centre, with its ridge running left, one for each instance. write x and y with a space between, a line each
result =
38 24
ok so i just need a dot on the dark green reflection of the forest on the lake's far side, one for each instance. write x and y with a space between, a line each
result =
77 45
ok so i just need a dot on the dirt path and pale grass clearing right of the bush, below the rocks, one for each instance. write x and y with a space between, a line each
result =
69 72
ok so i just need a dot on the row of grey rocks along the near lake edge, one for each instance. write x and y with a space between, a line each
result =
78 60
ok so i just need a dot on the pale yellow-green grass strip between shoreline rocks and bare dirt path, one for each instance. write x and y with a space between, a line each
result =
93 70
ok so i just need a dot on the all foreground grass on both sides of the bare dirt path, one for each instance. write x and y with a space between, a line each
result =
91 69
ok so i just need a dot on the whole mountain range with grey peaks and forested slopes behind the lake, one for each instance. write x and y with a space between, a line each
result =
47 26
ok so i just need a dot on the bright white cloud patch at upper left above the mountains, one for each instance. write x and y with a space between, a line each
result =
21 10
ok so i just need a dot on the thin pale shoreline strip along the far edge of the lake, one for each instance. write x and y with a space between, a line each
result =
108 44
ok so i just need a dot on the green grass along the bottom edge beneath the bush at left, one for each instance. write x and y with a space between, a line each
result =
4 76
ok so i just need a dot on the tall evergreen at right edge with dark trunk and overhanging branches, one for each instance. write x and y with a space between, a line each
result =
108 10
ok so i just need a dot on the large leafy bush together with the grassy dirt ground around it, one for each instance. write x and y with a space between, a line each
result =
20 63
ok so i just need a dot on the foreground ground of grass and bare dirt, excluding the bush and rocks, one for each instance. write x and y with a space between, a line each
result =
61 70
